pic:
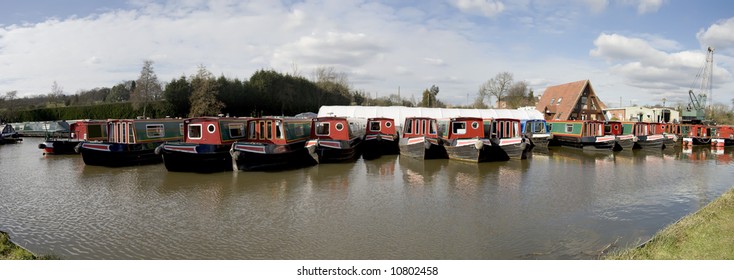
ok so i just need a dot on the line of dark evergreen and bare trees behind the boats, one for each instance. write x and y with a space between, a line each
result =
265 92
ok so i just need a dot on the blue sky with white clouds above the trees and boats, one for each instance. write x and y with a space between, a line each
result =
633 51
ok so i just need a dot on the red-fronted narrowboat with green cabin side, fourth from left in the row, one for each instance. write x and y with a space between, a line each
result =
273 143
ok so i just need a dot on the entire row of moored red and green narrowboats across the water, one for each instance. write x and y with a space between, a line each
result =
213 144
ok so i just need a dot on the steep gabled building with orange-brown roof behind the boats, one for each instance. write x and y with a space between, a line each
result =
571 101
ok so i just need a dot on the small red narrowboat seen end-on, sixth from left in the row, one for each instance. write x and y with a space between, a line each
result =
380 138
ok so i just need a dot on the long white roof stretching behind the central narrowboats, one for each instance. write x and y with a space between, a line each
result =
401 112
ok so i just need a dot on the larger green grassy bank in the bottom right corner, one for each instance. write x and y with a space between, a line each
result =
707 234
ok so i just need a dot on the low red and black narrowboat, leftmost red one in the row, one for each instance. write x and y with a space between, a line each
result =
87 130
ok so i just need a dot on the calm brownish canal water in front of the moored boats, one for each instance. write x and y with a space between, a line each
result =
560 204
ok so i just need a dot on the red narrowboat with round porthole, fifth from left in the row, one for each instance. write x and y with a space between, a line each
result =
336 139
